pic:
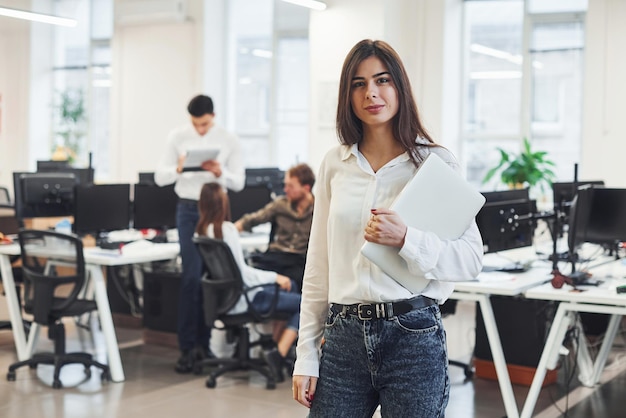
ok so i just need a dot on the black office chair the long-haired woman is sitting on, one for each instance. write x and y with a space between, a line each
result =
222 287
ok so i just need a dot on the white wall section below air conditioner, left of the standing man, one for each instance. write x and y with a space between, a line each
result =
157 69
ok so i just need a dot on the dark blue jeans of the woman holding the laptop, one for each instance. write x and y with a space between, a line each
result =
400 363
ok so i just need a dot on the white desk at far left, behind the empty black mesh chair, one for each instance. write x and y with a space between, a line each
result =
95 259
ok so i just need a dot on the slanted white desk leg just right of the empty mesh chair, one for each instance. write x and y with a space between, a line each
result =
106 322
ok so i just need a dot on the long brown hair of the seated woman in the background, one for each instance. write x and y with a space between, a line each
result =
214 208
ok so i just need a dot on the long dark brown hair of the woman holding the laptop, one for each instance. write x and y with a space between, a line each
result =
407 126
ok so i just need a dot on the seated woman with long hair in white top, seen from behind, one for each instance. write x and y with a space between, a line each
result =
214 222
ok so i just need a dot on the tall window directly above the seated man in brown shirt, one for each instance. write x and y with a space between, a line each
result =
268 81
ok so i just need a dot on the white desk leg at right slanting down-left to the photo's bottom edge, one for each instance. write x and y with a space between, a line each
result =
551 349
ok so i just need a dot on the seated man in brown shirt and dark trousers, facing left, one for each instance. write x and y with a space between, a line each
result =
291 216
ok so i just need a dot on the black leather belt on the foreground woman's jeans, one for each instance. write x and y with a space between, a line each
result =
385 310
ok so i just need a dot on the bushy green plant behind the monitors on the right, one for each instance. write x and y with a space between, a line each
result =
526 169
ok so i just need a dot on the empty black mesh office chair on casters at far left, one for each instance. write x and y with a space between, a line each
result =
54 275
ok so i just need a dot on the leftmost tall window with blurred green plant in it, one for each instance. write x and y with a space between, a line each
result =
81 82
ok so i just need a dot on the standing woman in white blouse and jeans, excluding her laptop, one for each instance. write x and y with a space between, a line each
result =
383 345
